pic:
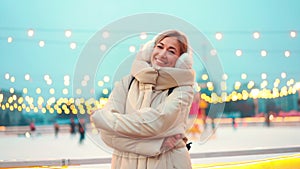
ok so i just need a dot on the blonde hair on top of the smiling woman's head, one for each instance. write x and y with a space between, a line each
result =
182 39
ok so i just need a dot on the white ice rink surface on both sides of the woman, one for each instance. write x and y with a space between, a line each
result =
49 147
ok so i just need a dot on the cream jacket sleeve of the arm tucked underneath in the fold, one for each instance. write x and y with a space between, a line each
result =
147 147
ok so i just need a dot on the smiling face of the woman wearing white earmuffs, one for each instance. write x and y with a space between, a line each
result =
166 52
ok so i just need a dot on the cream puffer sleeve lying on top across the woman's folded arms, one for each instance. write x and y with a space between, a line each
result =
147 122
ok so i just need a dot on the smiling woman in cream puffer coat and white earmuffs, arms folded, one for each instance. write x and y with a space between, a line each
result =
145 119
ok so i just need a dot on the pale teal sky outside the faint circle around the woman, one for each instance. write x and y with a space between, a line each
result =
235 19
